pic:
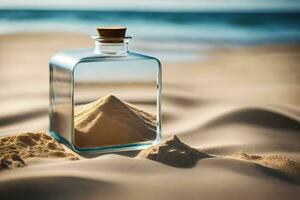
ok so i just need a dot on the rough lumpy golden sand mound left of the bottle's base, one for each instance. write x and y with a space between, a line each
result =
14 150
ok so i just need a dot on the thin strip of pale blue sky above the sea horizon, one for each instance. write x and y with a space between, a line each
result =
198 5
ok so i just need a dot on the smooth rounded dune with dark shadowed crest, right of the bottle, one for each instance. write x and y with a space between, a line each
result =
244 128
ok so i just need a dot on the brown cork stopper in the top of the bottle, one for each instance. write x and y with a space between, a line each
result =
111 32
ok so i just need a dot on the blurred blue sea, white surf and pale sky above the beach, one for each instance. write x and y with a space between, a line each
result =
163 28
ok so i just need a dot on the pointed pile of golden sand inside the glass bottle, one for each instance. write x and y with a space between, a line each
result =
110 121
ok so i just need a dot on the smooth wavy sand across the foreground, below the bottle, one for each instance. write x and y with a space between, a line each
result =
118 176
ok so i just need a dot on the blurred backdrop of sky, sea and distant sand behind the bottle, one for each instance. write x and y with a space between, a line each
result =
214 53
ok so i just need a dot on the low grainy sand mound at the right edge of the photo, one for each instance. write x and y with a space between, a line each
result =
281 164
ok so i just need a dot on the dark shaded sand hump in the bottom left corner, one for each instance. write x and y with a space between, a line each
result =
35 189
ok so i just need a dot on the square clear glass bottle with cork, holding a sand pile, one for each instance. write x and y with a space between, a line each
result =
107 98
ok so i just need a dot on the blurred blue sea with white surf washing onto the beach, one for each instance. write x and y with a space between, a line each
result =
163 33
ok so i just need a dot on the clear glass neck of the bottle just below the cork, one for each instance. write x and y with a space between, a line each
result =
111 49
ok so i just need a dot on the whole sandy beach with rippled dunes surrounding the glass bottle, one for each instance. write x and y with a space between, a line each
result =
236 115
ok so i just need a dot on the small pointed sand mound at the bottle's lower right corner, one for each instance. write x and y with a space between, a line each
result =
173 152
